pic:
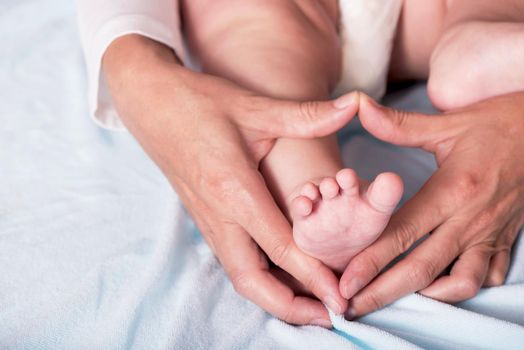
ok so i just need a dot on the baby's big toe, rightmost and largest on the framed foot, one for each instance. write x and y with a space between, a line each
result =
385 192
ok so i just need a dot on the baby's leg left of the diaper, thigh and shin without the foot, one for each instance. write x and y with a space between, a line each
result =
282 49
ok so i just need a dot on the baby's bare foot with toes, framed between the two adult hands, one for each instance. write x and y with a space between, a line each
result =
339 218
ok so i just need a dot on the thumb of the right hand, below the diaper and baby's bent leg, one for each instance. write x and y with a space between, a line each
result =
400 127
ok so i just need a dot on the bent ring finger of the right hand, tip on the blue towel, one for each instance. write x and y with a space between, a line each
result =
465 279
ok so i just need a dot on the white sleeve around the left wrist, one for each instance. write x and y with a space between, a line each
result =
102 21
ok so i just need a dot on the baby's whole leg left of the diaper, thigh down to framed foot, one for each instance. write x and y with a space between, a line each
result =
290 50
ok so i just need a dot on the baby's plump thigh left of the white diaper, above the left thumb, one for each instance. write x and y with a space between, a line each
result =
292 45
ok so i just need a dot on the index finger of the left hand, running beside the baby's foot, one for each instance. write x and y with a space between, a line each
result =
269 228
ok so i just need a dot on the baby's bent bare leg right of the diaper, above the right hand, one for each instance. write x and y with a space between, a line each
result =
470 49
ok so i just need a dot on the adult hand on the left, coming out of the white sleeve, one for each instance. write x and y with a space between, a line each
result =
208 137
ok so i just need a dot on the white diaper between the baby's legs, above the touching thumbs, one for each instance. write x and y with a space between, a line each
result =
367 31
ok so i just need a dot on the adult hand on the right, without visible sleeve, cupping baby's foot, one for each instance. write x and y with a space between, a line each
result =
473 205
